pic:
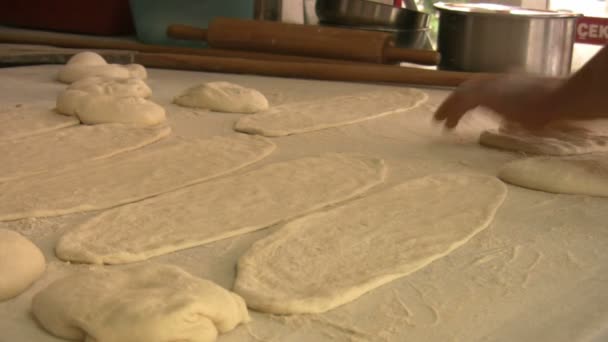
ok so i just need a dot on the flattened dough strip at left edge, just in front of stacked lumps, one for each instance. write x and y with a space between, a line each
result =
63 147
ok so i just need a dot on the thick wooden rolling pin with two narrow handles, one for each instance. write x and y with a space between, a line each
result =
303 40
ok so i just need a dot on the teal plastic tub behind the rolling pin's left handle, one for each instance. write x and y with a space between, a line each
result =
152 17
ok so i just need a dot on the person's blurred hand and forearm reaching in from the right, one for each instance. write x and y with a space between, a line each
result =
533 101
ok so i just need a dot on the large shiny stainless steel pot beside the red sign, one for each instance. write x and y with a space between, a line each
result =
496 38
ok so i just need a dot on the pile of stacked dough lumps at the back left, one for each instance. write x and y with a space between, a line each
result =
107 93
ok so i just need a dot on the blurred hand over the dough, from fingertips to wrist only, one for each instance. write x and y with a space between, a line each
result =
522 100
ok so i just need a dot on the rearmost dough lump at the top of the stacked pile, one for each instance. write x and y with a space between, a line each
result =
88 64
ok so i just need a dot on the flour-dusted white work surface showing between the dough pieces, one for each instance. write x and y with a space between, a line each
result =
538 273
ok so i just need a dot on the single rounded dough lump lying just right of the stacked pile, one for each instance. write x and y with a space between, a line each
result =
223 97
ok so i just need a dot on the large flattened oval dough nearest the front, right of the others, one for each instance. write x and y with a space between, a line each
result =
329 258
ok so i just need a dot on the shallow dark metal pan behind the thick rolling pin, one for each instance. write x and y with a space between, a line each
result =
370 14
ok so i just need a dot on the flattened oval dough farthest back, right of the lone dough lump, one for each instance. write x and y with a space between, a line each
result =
315 115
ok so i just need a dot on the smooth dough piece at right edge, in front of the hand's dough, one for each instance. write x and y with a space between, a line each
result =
579 175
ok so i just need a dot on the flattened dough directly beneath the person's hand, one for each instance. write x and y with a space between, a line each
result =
556 140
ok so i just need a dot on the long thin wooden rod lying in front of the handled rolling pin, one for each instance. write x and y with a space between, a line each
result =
321 71
